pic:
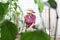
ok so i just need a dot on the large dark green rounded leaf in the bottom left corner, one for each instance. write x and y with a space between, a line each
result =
8 30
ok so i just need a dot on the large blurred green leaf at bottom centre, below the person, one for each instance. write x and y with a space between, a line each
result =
35 35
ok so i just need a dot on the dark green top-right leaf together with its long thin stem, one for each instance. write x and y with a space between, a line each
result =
53 5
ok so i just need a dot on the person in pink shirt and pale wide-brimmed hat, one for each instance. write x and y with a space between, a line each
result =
30 19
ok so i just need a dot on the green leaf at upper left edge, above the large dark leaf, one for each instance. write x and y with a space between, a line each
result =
3 10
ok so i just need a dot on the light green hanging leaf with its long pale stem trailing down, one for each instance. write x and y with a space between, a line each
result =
40 9
